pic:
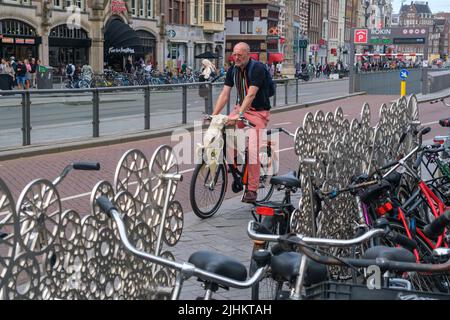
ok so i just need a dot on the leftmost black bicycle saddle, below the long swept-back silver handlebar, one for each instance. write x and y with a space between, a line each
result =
219 264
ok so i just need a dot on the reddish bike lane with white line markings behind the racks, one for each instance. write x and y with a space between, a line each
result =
78 184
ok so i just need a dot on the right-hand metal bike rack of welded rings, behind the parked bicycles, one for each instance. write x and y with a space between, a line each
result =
341 148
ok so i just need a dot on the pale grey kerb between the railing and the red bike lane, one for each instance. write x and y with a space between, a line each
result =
30 151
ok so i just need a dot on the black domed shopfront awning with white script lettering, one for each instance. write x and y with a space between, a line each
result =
120 38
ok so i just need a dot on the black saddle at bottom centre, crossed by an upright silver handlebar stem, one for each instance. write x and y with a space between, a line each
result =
287 264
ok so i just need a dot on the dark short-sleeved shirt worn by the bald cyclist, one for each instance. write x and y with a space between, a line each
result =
261 101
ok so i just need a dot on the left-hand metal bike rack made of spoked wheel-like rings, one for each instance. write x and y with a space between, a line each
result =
49 254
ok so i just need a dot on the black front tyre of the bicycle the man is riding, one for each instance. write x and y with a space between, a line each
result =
195 186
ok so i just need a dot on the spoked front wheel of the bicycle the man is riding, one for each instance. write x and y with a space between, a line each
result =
208 189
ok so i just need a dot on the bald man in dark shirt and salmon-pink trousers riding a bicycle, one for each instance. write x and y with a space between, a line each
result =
252 103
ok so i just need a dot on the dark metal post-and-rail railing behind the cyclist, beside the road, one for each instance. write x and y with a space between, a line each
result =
289 88
